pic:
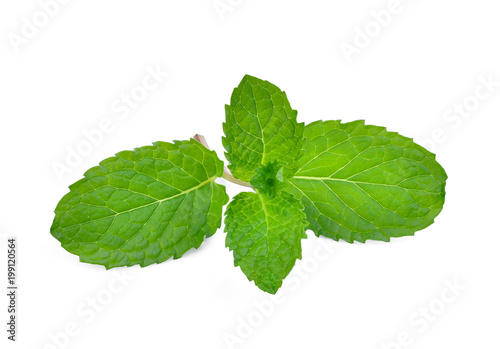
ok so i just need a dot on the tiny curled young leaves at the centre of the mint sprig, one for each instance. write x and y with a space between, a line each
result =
269 179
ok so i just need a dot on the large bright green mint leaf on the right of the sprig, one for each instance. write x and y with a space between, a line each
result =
360 182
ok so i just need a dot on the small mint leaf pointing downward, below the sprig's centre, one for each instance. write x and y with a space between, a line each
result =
265 234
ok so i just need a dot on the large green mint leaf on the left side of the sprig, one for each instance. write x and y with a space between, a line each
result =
143 206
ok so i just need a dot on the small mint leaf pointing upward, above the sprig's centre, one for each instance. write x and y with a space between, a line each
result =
260 127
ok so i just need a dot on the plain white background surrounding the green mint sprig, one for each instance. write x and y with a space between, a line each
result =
65 78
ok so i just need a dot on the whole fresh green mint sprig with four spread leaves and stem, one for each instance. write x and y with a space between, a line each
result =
346 181
